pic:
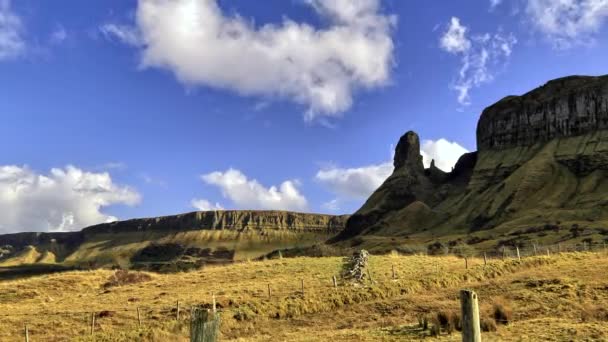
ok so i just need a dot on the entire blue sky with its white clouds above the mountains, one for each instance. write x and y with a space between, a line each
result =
122 109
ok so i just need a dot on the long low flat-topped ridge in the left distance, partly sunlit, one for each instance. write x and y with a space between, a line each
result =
209 236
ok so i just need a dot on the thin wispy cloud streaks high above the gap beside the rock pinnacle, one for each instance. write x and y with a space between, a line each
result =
481 56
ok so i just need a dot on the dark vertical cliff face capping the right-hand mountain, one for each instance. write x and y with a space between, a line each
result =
568 106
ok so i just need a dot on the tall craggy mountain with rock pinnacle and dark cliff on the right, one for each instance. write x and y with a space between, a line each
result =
540 175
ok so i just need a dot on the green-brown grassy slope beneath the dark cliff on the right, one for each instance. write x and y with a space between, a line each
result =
541 191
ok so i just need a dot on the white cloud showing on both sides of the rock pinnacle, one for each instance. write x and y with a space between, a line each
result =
360 182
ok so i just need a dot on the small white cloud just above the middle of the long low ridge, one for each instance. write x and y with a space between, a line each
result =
250 194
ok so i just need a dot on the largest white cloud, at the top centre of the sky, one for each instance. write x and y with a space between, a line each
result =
319 68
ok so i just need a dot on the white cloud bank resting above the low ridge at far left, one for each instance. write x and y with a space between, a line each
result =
65 199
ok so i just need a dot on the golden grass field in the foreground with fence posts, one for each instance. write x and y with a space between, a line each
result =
557 298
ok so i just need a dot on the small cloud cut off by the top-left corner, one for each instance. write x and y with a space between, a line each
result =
12 43
